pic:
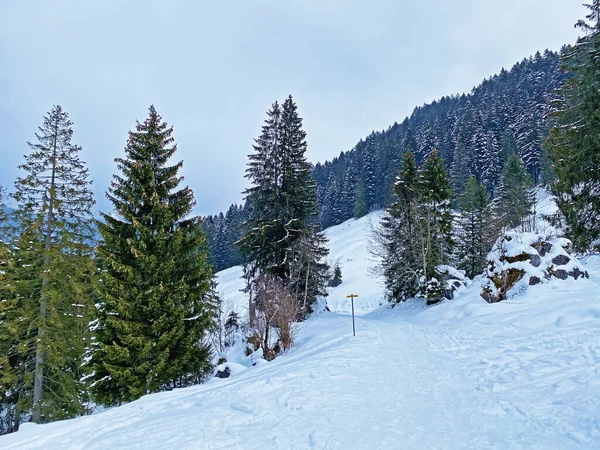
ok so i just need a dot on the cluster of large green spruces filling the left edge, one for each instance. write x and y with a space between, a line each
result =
84 322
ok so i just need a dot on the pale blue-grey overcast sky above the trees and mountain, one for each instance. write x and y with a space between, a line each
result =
212 69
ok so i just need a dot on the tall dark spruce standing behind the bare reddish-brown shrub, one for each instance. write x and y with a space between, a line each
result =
280 239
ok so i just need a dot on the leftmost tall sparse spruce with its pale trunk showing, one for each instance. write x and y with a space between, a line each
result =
47 308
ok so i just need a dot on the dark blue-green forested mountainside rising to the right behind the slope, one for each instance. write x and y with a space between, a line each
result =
474 134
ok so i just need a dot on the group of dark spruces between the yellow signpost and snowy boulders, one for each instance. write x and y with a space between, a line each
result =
422 239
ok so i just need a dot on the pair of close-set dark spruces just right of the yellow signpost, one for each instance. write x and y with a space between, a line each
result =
415 235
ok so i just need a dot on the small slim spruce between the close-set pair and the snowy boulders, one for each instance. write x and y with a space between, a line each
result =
472 239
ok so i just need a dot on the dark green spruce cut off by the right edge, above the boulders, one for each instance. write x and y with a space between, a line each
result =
574 142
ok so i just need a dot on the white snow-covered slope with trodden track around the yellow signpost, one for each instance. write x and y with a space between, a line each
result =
523 373
